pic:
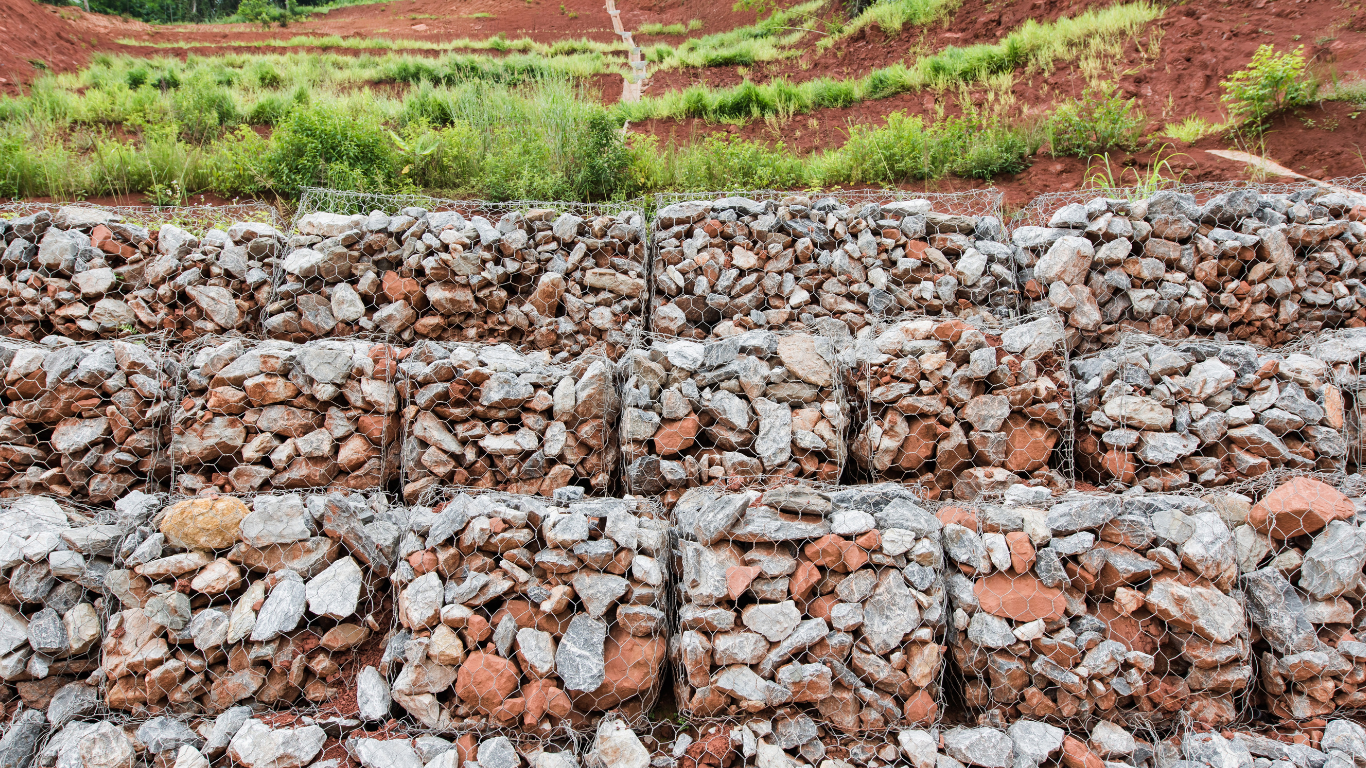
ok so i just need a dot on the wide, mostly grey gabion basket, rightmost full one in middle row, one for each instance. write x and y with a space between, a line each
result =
1165 415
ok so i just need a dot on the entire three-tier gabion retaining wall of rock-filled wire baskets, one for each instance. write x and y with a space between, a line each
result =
427 483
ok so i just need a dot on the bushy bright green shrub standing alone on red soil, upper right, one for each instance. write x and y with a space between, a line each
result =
1270 84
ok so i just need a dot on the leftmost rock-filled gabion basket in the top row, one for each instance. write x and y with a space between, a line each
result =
91 273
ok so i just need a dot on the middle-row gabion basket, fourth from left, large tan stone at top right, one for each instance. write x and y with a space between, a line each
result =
752 405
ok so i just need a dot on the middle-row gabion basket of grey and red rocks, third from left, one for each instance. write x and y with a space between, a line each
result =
488 416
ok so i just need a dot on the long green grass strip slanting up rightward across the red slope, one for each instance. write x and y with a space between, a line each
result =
1033 47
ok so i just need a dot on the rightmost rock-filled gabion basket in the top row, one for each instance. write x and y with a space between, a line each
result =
1257 263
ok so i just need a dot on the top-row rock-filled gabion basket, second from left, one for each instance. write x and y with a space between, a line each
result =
555 277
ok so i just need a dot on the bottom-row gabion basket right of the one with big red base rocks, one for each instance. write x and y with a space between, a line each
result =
827 602
